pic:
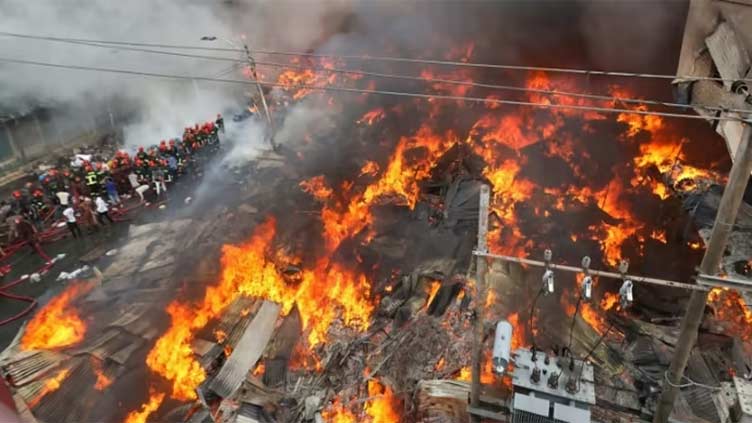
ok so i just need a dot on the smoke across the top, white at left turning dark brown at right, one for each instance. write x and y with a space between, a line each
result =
163 107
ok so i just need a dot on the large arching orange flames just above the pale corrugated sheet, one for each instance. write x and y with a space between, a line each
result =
322 295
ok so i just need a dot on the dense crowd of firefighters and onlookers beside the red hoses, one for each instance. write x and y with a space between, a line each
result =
92 189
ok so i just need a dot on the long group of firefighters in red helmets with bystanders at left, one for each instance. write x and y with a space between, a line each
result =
104 180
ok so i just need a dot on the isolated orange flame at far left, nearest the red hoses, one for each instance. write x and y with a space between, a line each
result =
58 323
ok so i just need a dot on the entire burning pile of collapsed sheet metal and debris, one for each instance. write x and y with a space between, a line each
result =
355 283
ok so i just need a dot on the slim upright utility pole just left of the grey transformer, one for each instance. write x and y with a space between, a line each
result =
481 268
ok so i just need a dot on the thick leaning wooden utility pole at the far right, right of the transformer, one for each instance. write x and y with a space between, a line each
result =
711 262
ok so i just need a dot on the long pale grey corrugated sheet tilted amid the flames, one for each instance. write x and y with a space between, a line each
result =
247 351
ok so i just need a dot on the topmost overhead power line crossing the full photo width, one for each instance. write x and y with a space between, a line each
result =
583 72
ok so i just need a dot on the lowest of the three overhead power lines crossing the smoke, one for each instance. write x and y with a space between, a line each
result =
379 92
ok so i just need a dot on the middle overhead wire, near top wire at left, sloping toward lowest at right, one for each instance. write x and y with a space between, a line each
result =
556 93
